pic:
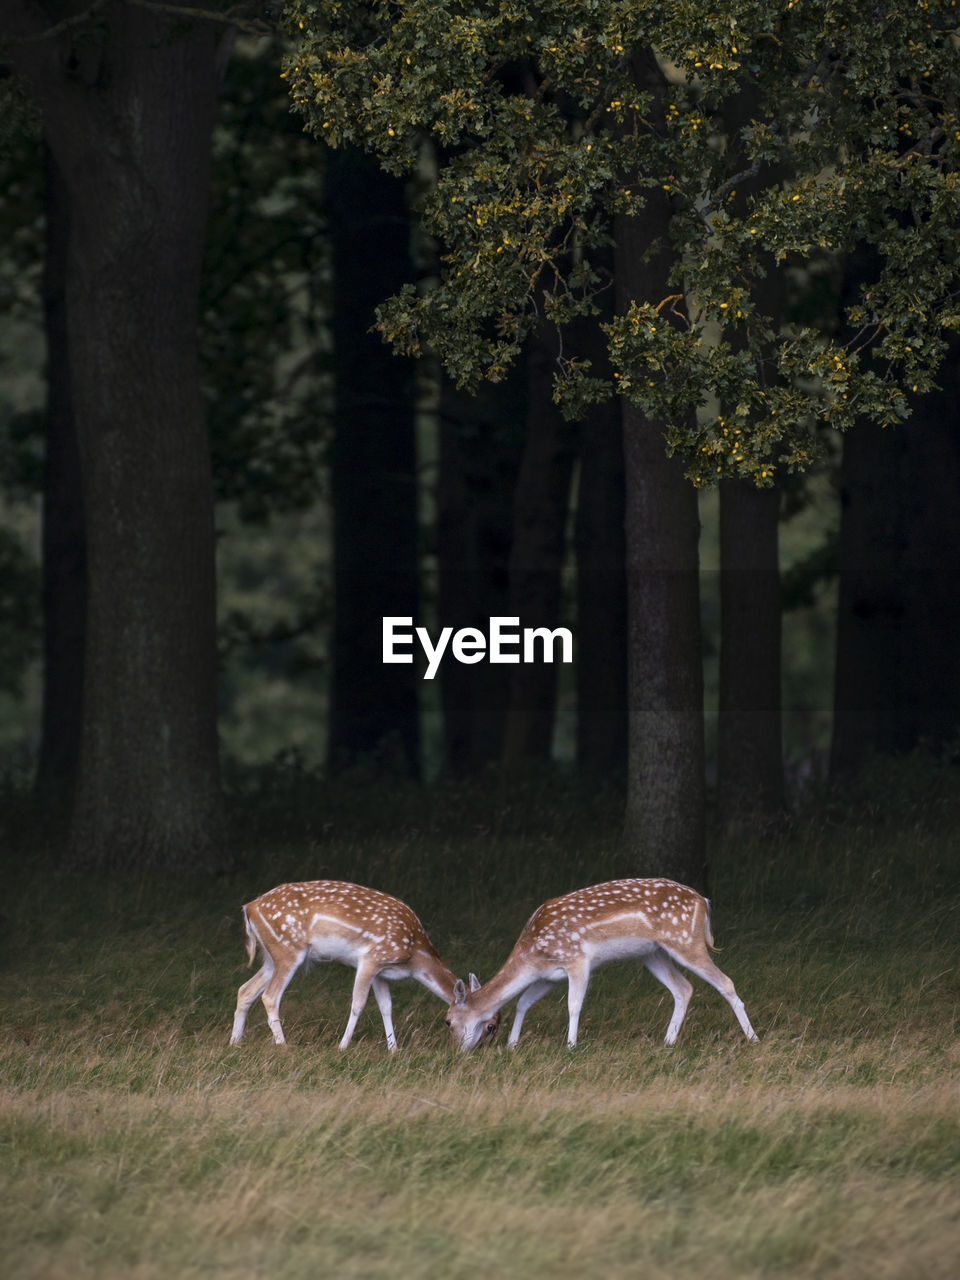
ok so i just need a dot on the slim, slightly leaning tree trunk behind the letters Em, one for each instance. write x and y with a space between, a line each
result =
541 506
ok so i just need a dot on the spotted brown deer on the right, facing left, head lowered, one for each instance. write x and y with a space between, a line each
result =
657 922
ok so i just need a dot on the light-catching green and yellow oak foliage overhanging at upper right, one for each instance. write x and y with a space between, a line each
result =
779 134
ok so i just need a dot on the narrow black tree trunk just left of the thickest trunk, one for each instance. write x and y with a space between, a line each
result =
65 548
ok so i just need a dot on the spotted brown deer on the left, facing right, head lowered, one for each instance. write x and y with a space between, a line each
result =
377 935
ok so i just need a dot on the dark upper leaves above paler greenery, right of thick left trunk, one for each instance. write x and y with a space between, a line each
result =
264 348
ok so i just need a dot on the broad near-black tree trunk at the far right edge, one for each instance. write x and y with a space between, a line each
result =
898 675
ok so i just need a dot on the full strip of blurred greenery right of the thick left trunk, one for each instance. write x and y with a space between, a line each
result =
267 383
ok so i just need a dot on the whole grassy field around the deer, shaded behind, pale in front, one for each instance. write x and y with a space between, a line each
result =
136 1144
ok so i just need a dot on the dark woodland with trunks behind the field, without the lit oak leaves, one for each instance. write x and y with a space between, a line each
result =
199 303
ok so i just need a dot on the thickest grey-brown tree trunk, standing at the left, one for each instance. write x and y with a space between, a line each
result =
129 111
